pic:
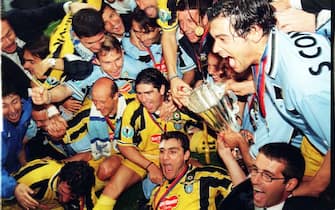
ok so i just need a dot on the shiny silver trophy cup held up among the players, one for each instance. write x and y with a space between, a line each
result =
216 106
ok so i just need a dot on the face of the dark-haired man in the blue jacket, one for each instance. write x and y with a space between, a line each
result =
12 108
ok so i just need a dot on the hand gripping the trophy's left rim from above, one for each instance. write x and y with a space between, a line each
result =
180 91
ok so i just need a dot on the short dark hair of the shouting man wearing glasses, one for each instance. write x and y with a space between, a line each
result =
289 155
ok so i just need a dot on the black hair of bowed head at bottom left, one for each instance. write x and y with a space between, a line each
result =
79 175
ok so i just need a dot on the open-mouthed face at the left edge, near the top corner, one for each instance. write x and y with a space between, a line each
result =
8 37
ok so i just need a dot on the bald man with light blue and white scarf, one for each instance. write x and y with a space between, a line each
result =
105 122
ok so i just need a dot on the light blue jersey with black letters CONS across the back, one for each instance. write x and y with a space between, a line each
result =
298 73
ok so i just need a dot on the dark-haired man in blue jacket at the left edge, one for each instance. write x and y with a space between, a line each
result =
16 113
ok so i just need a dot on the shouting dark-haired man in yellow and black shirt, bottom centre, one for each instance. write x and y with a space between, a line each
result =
186 186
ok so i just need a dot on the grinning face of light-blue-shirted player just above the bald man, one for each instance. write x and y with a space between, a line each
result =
111 62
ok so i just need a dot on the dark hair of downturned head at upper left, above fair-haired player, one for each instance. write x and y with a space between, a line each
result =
87 23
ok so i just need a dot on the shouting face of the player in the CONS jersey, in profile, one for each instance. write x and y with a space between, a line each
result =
239 51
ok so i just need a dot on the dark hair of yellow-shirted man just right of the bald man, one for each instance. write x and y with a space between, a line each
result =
154 77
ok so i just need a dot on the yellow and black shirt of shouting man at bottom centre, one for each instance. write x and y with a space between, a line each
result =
197 189
